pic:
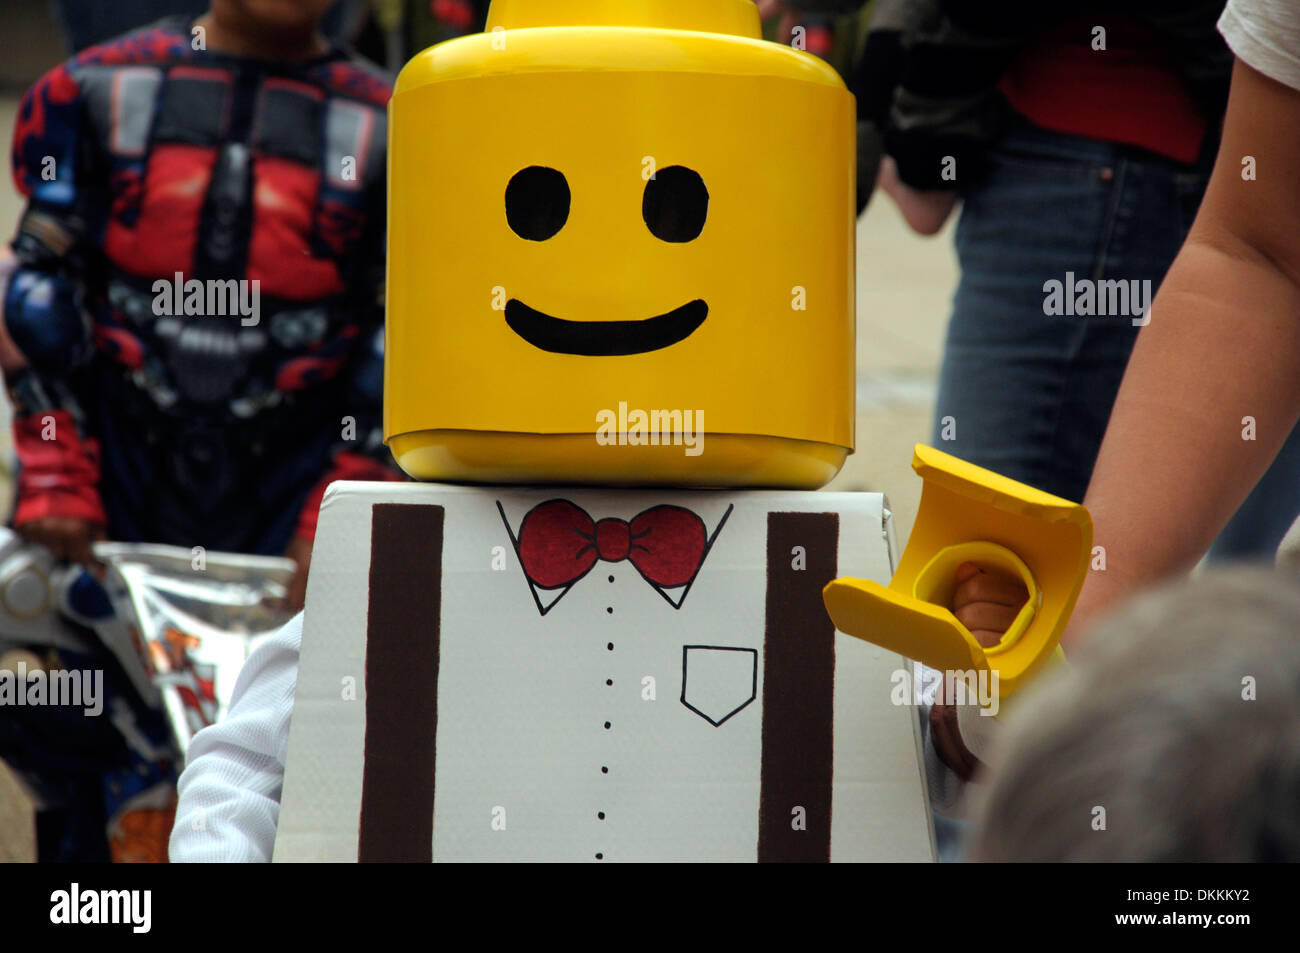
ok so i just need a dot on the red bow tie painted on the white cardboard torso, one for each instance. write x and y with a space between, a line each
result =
560 544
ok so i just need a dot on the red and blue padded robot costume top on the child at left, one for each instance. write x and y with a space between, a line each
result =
149 161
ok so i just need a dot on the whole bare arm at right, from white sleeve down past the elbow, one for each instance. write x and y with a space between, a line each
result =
1214 385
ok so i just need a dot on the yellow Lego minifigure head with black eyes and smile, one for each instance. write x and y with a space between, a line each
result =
621 252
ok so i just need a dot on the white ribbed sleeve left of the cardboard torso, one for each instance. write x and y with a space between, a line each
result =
229 792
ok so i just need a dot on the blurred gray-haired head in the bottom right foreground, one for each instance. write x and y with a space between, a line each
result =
1175 735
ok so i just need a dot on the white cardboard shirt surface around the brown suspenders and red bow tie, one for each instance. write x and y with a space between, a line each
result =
523 698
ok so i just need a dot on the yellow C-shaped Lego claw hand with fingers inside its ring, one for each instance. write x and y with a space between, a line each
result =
951 617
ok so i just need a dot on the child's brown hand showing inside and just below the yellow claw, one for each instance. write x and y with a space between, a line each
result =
987 604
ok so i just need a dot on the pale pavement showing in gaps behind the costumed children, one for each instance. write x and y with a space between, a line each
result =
904 288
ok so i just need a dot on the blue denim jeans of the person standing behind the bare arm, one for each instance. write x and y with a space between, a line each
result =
1029 395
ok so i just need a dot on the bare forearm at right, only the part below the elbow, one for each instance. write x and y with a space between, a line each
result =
1211 395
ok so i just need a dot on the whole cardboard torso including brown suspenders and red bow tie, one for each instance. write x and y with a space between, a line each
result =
610 718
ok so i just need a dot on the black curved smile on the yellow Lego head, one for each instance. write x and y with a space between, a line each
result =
604 339
